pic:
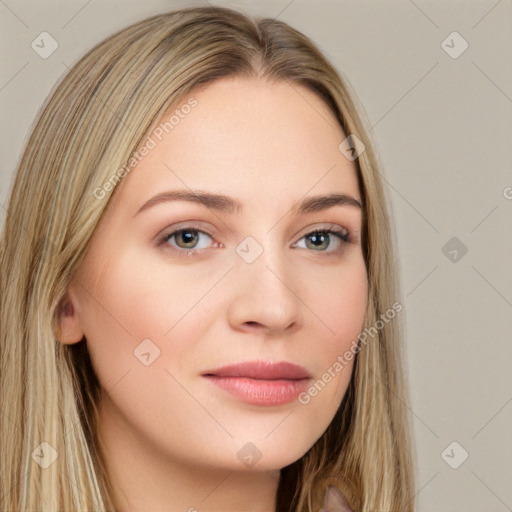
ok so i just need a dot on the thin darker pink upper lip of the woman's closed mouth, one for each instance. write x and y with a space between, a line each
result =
264 370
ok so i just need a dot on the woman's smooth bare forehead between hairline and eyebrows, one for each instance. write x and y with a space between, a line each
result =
247 138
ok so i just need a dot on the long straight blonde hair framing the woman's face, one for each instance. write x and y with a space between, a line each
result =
88 129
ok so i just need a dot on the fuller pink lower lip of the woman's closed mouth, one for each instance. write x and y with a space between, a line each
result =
261 392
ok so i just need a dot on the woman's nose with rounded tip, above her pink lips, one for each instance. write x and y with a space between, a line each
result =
263 299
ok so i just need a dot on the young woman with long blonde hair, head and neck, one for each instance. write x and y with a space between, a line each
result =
199 308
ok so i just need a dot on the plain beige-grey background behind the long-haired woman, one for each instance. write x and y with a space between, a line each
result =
442 128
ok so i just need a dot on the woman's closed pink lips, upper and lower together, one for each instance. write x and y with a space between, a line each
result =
262 383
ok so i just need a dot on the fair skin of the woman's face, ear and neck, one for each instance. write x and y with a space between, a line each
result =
170 437
